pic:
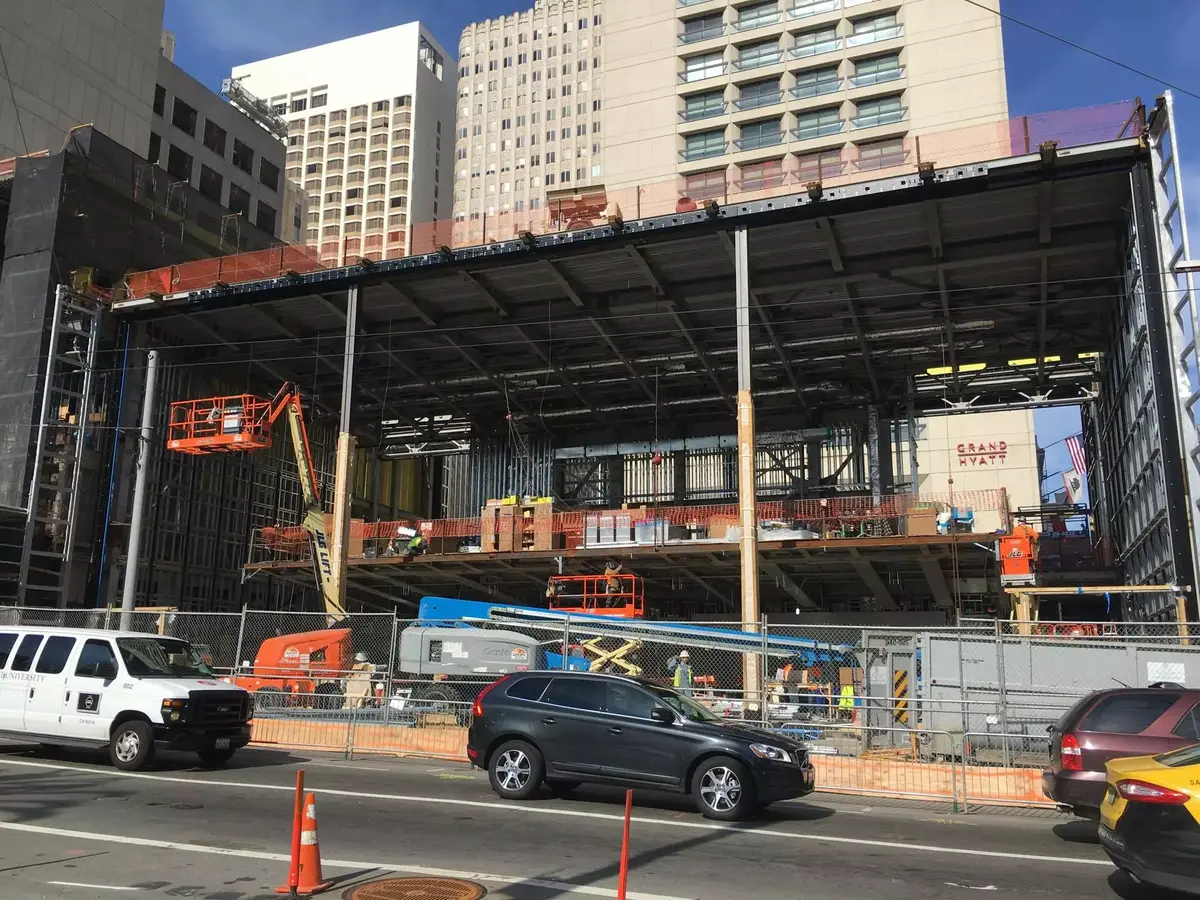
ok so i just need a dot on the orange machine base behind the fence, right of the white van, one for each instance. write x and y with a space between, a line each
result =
311 664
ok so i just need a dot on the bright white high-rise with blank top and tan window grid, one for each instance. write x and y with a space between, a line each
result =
370 123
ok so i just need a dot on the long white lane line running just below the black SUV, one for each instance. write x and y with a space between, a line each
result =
530 811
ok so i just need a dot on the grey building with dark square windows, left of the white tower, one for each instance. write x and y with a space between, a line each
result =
211 145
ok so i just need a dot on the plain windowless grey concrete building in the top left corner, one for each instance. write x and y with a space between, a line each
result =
77 63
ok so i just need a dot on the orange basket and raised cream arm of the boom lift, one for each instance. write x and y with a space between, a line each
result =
242 423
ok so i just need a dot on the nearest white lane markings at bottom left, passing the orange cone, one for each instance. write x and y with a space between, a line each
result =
563 887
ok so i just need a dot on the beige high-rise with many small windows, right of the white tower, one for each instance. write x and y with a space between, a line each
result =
530 128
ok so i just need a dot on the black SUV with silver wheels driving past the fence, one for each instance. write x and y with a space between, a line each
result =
566 729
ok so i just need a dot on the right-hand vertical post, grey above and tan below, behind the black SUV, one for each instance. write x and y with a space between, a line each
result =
747 509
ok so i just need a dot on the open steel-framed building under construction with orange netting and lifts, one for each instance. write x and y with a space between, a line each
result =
763 405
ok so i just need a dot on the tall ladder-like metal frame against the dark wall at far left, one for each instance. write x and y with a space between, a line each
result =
63 431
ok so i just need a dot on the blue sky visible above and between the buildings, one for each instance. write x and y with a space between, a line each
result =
1159 37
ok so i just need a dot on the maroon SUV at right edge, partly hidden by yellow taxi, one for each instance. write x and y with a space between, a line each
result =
1108 725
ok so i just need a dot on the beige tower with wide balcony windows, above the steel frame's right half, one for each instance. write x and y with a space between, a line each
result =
706 99
